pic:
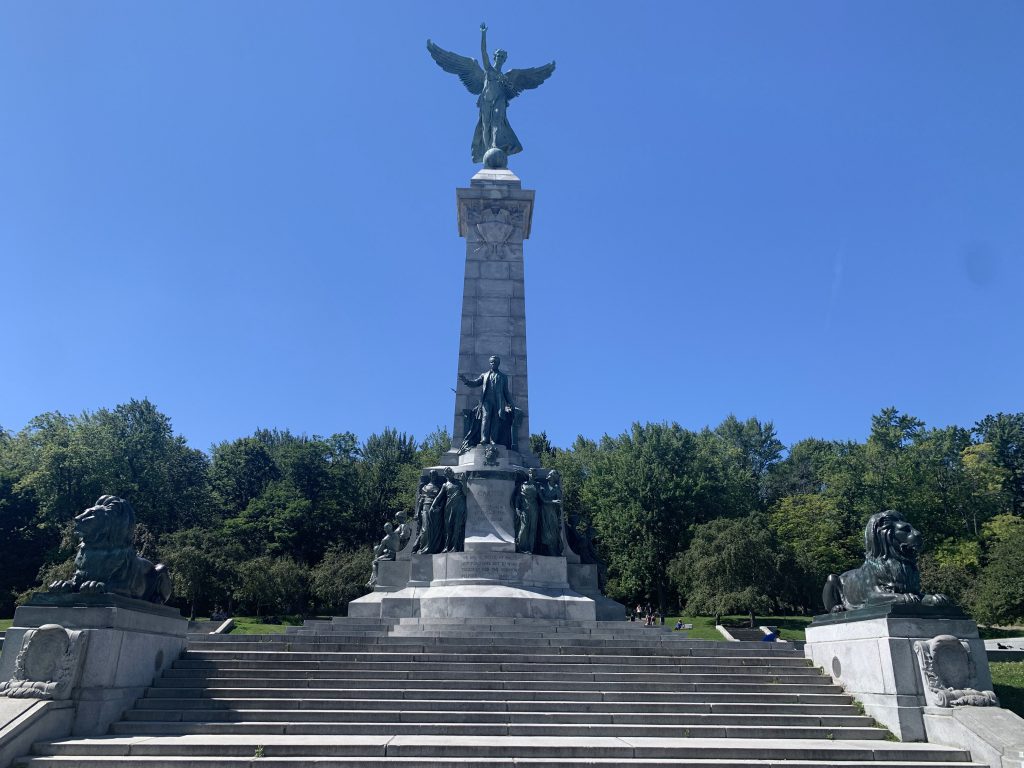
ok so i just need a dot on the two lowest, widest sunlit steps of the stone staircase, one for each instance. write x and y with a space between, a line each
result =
426 748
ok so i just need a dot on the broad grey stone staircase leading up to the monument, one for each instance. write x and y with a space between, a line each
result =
369 693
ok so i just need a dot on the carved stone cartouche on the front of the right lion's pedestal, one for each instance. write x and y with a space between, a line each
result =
950 673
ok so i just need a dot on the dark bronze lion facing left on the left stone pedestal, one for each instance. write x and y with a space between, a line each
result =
107 560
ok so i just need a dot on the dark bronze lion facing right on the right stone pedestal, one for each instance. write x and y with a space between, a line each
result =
890 572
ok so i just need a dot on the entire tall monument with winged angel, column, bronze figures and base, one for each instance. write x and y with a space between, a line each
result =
489 533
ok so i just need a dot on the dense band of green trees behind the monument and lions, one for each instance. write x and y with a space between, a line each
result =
720 521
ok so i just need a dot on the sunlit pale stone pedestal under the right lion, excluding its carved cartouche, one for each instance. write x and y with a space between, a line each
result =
871 653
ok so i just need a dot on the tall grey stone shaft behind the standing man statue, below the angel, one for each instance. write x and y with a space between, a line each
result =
495 216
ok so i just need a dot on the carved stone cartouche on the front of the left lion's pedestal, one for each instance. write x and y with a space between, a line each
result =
49 664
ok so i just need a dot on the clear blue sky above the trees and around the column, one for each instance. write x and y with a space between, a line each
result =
245 211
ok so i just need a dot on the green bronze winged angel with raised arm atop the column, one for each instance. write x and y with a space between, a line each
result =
496 90
